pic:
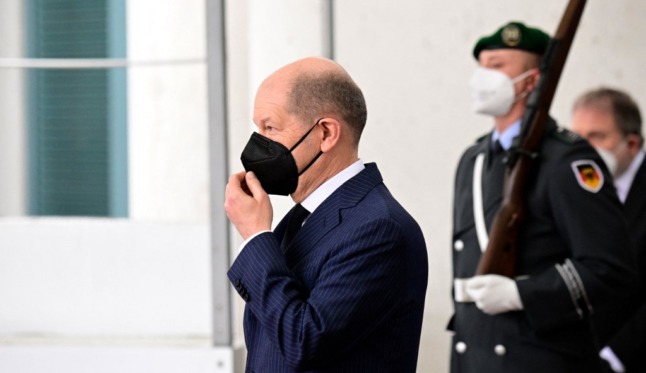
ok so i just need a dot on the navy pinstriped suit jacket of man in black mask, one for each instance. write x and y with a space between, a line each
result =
348 293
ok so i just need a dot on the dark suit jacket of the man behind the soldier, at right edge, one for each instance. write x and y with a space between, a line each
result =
630 343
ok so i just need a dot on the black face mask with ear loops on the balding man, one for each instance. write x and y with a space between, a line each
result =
273 164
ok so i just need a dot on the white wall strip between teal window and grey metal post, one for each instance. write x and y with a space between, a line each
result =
167 112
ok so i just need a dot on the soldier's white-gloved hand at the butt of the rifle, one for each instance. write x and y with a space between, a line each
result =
494 294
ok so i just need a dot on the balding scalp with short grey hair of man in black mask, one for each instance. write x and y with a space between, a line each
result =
314 87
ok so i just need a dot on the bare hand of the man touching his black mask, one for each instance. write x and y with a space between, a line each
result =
247 205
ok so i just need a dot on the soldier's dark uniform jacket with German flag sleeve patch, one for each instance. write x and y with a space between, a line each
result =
573 259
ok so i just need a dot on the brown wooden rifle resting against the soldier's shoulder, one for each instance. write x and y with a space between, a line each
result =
500 255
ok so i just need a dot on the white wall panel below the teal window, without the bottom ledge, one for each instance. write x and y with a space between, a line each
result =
104 278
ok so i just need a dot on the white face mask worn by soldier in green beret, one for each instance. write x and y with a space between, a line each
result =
492 92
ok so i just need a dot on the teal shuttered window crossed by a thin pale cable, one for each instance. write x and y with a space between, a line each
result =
77 117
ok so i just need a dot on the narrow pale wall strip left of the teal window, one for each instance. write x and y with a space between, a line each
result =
12 116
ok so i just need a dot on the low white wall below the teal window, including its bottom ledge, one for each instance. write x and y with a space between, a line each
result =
106 295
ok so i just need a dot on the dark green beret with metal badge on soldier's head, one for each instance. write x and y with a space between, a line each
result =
514 35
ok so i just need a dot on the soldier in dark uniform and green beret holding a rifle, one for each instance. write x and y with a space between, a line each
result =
573 258
